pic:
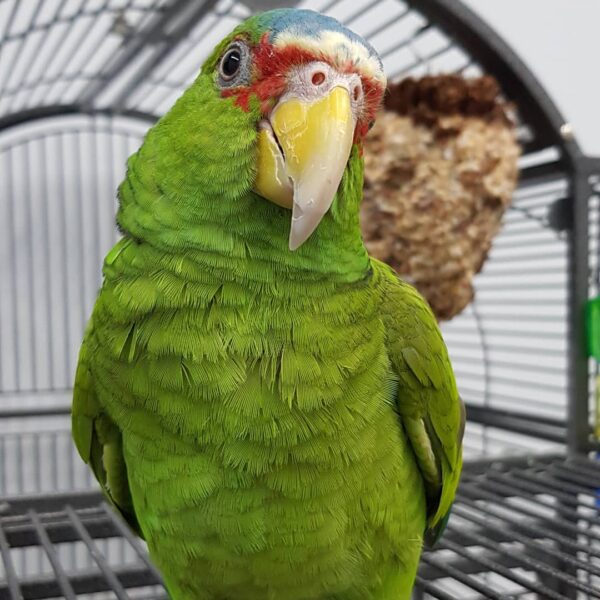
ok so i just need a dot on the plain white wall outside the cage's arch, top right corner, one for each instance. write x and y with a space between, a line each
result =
560 42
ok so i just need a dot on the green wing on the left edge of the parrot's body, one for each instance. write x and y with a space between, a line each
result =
99 441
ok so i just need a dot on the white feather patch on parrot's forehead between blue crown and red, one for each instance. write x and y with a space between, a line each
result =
339 47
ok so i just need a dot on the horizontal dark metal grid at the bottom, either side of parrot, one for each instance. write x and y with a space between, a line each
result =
528 528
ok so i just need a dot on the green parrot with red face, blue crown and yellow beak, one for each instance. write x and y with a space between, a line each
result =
273 411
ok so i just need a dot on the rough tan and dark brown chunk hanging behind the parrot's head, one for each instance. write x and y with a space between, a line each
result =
440 171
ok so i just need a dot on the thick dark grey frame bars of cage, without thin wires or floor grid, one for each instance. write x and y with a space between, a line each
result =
518 83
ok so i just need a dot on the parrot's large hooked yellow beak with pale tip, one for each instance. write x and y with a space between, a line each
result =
316 141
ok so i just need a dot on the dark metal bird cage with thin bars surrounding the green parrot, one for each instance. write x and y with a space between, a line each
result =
80 83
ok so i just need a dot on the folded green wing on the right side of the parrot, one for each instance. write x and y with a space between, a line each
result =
430 408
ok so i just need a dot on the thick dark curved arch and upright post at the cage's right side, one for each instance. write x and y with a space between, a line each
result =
518 81
